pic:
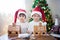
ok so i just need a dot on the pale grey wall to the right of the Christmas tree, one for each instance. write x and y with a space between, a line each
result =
54 6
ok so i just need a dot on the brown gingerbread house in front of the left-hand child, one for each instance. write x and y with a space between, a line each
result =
13 30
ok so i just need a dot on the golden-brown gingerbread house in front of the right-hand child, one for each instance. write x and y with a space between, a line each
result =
39 30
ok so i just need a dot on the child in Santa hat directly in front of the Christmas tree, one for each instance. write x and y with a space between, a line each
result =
36 15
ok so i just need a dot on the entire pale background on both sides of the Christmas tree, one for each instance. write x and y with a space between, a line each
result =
9 7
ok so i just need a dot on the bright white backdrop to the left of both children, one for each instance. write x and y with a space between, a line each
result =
7 11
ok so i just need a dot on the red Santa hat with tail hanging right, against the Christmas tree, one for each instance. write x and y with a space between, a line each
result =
39 11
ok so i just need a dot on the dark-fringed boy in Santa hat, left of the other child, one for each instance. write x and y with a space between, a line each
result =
22 20
